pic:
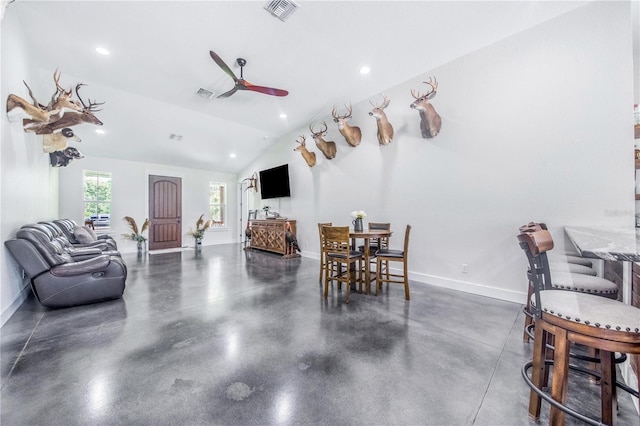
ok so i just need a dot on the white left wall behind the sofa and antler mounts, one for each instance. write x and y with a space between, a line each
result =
29 188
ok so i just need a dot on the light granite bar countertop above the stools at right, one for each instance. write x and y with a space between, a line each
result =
608 243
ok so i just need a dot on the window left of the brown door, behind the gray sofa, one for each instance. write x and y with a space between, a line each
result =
97 197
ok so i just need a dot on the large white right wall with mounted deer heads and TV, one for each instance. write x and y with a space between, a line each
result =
536 127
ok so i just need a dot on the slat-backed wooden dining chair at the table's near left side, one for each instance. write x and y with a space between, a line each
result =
339 253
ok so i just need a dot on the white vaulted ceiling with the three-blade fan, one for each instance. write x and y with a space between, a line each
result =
160 58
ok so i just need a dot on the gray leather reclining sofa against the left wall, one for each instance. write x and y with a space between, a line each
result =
64 274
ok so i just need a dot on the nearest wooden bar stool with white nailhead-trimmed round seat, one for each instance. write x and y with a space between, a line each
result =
566 317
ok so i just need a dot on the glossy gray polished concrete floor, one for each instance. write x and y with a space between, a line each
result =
229 337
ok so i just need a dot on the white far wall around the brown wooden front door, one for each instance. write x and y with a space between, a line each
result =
130 181
